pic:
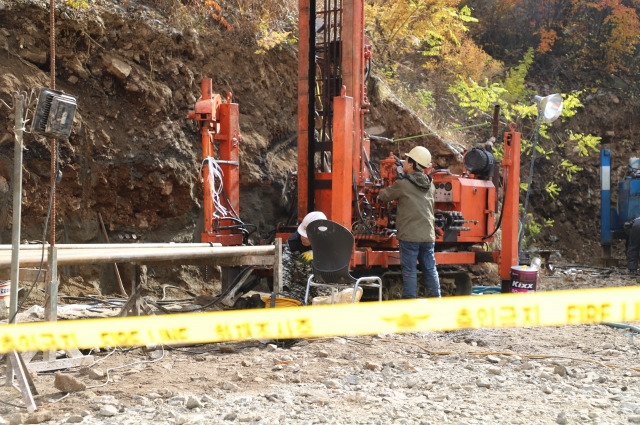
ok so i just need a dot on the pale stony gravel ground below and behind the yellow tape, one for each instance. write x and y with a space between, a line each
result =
558 375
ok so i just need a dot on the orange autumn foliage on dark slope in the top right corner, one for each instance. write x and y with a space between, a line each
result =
569 36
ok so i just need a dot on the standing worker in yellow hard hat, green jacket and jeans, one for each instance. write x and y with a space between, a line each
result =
415 222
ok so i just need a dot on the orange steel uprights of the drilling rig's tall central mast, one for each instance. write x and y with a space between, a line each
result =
348 122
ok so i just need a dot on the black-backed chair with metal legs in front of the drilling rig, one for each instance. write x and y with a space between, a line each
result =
332 245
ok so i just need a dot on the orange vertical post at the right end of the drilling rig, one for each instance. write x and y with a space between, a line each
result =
510 218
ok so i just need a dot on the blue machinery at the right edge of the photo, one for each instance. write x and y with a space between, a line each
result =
612 219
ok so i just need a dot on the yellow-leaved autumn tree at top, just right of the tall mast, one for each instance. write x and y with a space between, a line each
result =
425 44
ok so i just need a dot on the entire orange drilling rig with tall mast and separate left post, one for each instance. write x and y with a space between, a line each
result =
335 174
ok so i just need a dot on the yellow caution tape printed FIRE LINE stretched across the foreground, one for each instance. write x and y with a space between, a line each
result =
486 311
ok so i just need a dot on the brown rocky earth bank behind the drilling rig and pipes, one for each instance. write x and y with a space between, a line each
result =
133 156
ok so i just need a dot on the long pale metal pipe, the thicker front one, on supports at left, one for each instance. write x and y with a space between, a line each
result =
100 256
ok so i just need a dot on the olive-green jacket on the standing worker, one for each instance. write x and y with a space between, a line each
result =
415 219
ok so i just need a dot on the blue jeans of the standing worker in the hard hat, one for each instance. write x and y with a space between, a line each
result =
422 254
